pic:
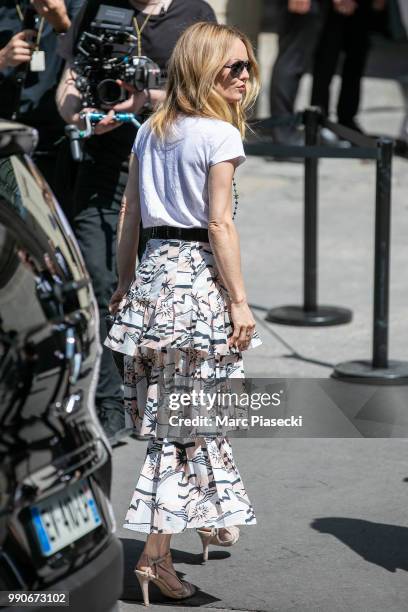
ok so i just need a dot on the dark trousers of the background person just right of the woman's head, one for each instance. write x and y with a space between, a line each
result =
298 36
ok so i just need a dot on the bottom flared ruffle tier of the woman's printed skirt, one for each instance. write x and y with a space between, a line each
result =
189 485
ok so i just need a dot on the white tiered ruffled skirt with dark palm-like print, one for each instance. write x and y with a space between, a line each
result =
173 327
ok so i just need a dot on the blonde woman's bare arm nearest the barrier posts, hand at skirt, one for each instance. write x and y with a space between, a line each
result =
224 242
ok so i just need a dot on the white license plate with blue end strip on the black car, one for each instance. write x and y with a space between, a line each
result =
65 517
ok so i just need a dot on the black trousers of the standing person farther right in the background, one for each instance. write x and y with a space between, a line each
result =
351 35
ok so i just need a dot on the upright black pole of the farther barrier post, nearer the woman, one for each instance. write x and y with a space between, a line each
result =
311 120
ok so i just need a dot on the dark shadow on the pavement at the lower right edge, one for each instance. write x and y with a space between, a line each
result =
378 543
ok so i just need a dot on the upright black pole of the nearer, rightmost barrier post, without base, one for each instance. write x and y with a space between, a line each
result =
382 254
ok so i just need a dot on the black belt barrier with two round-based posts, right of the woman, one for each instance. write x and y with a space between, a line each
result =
378 370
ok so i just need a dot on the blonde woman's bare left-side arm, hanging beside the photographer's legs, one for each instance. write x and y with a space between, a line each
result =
128 234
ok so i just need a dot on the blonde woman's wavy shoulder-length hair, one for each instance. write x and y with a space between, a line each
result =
196 61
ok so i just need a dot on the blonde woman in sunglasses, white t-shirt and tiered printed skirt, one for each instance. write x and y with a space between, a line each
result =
182 319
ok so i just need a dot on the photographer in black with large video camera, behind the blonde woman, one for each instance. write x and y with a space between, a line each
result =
102 175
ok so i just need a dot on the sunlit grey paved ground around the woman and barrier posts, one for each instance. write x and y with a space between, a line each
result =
332 532
